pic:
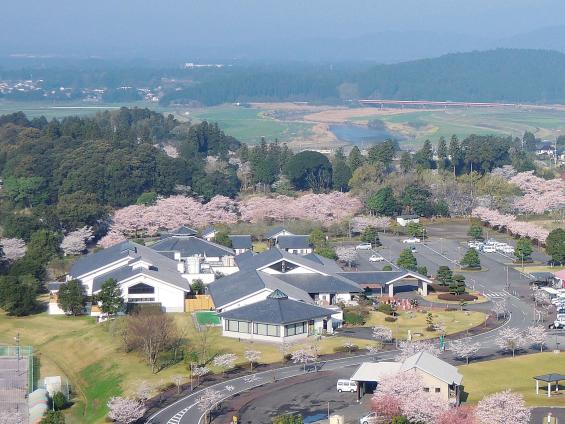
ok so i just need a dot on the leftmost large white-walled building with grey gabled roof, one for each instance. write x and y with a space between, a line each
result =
144 275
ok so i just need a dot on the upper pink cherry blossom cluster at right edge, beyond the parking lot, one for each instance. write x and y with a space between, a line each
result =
539 195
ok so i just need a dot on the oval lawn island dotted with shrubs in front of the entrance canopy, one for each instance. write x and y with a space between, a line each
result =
452 321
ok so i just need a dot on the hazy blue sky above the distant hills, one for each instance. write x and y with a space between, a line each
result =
152 28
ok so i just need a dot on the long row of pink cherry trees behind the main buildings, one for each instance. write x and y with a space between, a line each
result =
172 212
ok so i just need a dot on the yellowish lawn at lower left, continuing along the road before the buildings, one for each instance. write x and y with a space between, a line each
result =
91 357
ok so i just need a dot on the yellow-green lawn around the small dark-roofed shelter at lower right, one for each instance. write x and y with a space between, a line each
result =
483 378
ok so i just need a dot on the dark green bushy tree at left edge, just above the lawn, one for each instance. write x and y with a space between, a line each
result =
18 295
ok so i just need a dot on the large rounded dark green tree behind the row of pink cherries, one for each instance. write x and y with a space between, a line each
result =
310 170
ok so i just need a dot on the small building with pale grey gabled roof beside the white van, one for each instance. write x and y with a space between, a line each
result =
439 377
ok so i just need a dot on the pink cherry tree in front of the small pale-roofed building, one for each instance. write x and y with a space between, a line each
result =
408 389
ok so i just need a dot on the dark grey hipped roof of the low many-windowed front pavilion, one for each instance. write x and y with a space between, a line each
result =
277 311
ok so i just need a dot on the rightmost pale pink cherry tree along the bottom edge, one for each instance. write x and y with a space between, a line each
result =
503 407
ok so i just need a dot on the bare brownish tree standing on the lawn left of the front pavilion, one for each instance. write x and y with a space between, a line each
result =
151 332
